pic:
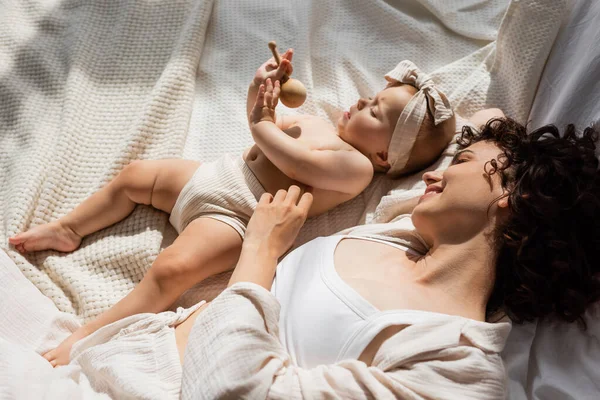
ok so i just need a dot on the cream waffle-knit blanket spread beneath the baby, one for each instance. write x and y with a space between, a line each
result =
87 87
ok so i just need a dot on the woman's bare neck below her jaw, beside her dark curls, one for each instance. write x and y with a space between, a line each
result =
463 272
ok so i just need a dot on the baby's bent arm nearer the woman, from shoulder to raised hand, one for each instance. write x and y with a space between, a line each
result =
340 170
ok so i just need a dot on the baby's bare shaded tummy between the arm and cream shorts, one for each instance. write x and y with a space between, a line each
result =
272 180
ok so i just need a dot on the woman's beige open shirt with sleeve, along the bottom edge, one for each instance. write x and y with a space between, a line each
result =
234 352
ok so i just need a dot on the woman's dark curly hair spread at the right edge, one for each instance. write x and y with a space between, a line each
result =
548 250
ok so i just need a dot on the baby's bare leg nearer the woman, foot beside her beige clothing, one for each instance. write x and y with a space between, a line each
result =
206 247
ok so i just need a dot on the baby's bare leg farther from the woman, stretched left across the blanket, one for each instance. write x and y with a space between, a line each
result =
152 182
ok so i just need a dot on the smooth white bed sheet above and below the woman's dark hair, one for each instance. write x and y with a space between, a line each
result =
558 360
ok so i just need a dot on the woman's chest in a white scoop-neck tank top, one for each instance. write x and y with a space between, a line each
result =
326 316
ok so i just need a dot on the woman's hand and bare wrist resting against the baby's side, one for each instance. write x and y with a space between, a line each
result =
271 232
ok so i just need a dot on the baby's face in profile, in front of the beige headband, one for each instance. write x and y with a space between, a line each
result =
369 124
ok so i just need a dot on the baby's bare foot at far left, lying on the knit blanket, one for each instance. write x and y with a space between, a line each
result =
48 236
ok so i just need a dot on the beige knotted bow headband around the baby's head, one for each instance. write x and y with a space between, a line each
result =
410 120
